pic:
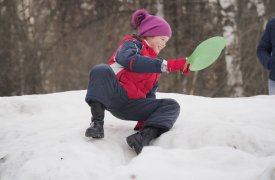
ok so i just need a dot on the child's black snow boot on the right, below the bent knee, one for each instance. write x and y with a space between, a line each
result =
143 138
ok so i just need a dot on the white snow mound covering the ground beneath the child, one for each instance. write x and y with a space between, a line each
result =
42 138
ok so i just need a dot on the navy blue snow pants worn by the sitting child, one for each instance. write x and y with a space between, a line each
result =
105 88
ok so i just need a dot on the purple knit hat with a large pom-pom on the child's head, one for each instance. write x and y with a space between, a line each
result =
149 25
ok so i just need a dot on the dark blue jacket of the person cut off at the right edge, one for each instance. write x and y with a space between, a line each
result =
264 49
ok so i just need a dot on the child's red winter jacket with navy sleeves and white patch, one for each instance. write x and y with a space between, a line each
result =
136 67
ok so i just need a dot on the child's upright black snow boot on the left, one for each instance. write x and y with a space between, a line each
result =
96 129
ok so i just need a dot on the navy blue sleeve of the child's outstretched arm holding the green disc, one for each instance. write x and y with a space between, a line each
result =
130 57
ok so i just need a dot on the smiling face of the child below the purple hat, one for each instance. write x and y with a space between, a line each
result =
157 42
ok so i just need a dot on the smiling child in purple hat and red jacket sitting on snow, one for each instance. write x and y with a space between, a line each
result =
127 85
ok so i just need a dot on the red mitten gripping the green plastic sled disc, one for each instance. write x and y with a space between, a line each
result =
174 65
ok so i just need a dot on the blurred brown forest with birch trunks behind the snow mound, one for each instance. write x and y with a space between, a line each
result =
50 46
